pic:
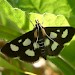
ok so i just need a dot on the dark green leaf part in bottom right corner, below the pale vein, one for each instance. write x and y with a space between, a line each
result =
63 65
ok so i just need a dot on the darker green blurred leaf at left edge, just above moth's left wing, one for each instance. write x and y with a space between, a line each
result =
8 33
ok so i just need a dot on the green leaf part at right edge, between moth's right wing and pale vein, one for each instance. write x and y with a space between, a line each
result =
68 52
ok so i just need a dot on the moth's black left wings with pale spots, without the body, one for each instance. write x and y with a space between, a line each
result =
22 47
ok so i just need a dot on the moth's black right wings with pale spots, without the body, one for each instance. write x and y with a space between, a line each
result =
58 36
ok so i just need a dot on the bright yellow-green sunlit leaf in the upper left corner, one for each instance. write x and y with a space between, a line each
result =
14 14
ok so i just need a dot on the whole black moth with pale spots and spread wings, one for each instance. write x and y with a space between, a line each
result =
39 42
